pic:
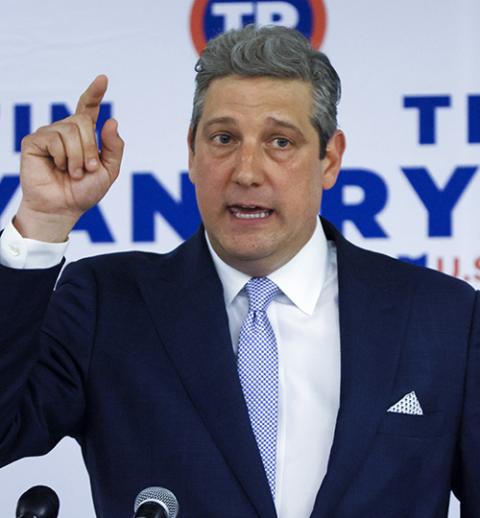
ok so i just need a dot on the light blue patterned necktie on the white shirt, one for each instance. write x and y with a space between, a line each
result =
258 371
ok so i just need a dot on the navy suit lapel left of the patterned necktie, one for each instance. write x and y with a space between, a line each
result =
187 306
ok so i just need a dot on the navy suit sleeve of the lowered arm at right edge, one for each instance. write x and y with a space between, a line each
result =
466 477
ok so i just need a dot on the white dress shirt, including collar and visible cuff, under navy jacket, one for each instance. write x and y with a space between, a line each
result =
305 321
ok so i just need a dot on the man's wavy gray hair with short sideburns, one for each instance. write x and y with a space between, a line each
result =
272 51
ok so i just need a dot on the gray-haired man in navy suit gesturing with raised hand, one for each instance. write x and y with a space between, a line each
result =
266 367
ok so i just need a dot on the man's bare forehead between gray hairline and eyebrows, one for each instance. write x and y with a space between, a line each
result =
258 97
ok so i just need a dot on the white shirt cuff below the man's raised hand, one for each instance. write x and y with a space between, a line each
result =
28 254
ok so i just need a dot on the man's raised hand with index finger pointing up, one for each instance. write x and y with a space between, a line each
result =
62 174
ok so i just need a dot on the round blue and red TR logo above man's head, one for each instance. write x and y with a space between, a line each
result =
211 17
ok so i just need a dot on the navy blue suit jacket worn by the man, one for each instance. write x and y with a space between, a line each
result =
132 357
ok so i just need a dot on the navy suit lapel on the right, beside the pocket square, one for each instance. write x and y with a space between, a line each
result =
373 316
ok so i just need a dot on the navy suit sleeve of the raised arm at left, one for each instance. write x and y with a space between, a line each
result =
45 347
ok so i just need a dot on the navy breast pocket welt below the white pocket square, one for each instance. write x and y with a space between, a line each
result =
406 425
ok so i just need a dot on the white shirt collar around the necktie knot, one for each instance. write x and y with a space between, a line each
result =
301 279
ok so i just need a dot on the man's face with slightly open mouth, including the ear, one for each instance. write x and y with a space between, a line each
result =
257 171
